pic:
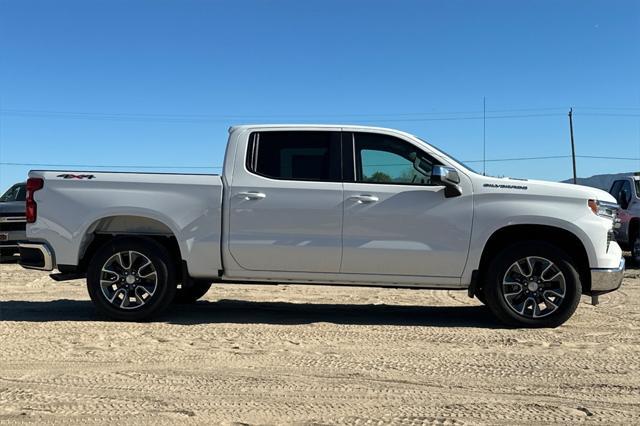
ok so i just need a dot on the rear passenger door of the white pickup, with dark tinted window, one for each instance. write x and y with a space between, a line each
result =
286 203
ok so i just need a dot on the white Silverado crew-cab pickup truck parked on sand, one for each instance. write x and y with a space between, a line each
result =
333 205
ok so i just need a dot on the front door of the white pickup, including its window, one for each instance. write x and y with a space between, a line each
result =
396 222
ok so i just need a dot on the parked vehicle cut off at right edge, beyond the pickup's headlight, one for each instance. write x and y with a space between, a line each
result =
626 191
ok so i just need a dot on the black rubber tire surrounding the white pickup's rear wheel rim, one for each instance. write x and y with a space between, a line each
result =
160 259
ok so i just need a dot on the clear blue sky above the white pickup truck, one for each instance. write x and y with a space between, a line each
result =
158 82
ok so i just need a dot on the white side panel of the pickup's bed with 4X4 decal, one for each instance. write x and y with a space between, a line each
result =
75 206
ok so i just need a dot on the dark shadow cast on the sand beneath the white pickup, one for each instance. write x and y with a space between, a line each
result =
275 313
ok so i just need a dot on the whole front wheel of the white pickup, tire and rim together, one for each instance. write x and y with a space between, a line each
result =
535 291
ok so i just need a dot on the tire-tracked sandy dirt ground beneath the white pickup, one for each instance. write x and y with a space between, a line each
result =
306 354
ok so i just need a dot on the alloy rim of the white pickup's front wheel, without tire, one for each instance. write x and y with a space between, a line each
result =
534 287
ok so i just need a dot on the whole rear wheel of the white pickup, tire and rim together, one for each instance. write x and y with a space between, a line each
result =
146 304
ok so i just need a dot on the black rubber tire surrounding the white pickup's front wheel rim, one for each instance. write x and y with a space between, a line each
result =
504 260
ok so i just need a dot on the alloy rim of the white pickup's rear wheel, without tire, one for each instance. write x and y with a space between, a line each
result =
128 279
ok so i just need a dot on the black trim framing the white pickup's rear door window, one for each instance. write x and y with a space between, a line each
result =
251 155
